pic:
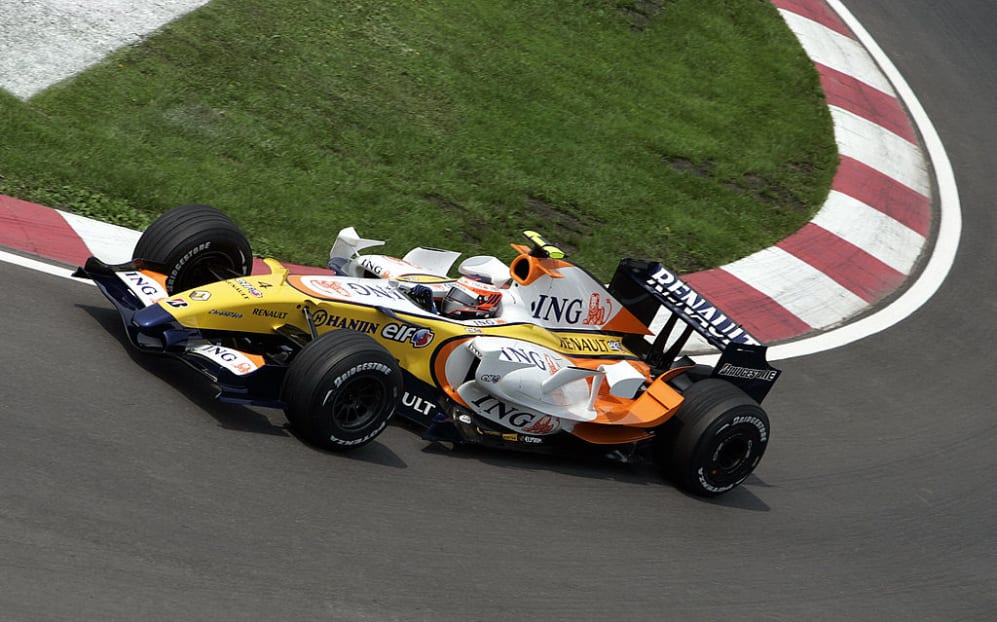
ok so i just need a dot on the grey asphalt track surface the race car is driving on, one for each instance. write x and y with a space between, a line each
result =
126 495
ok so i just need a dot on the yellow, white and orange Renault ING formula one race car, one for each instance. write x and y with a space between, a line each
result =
536 355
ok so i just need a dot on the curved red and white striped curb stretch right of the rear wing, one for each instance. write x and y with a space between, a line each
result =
869 235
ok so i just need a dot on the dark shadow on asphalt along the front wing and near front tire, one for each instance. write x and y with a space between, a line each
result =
197 389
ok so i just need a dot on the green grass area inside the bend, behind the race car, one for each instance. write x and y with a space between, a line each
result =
690 131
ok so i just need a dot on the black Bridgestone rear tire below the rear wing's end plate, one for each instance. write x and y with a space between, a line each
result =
715 440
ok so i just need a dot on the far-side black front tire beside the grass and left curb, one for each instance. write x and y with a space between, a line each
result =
194 245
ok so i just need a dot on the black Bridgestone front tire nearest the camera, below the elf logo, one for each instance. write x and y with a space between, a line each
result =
341 390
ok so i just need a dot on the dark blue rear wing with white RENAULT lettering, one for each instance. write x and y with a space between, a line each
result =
646 287
